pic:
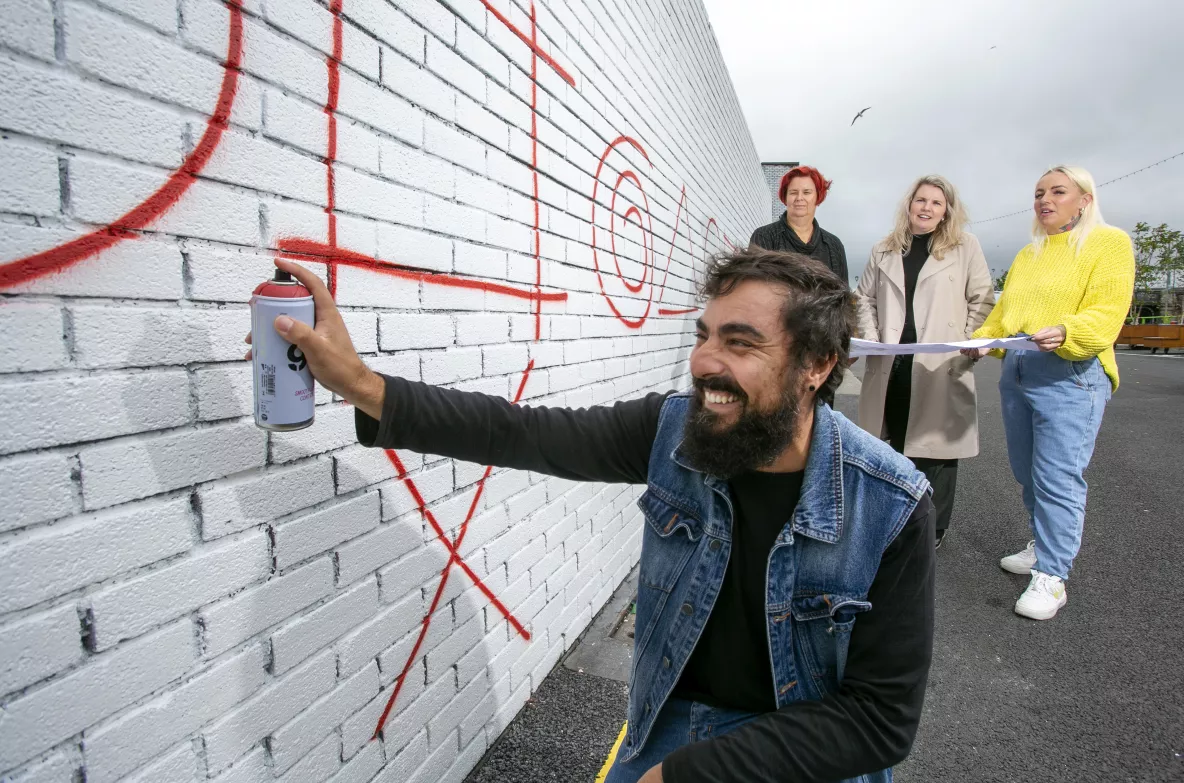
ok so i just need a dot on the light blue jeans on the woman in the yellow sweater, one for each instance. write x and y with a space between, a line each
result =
1052 413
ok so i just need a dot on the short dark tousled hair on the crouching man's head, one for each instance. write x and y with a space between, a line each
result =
820 312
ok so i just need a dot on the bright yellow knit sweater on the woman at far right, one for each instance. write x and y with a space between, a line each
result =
1088 293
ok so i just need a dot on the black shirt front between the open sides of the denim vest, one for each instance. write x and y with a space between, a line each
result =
730 666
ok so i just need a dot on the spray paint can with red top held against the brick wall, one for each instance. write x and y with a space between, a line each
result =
285 394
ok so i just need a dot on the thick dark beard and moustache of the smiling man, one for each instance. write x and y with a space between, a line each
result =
754 441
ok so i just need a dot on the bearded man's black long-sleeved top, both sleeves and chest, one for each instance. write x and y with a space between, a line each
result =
868 726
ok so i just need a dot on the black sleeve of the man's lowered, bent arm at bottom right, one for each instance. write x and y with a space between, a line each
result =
870 724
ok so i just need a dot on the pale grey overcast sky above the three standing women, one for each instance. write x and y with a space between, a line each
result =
1098 84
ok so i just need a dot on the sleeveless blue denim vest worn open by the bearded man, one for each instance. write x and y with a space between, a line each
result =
857 497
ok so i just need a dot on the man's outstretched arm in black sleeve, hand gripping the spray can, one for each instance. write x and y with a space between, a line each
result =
601 444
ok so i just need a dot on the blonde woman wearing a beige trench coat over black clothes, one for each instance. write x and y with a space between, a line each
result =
925 283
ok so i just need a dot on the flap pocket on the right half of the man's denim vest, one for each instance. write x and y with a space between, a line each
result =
825 622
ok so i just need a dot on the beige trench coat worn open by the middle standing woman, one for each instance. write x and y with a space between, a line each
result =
954 298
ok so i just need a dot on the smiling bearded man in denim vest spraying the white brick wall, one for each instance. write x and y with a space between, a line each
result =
787 587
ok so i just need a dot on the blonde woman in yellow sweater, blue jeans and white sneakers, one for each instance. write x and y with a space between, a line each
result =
1070 290
